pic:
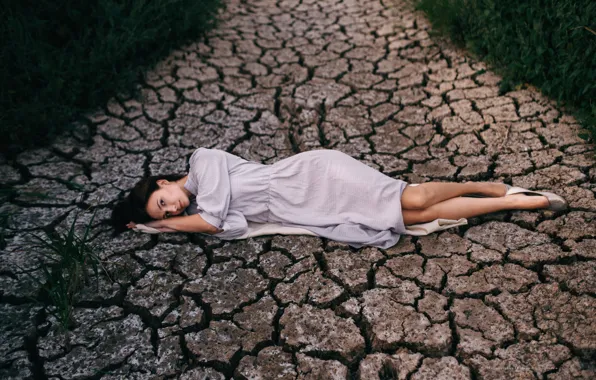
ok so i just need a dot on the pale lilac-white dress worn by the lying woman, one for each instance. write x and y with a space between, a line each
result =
326 192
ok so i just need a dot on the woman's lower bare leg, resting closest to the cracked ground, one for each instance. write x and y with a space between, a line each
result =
460 207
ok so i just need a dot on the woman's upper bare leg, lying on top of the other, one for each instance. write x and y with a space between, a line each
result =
427 194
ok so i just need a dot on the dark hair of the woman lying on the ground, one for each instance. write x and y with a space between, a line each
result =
134 206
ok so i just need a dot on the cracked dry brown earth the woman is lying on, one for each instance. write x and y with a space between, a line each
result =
511 295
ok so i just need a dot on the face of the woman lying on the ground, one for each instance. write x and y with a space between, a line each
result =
169 200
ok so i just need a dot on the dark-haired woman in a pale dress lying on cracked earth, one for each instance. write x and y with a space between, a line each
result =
325 192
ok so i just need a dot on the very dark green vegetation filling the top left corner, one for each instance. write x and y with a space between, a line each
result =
62 57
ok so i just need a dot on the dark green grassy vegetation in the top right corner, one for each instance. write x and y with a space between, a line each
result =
548 43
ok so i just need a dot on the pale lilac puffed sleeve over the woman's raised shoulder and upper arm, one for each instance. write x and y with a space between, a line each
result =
209 175
